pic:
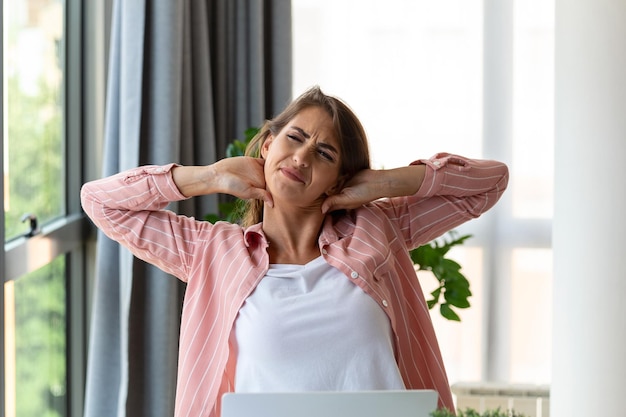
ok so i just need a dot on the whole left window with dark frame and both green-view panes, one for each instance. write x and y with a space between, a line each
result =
44 120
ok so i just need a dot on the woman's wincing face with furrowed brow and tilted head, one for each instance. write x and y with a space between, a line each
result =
303 161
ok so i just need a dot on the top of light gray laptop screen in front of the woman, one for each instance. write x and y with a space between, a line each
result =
409 403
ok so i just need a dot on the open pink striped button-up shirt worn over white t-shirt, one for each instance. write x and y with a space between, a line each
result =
223 263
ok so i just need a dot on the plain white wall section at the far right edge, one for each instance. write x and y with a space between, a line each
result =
589 372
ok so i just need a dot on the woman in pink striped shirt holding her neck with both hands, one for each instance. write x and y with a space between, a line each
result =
316 291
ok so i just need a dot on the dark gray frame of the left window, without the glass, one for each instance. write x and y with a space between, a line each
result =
86 29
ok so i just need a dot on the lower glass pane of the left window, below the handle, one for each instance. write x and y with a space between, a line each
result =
35 342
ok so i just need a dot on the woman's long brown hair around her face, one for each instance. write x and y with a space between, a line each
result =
354 149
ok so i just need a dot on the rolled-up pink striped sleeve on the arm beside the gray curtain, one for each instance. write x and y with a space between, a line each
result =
129 208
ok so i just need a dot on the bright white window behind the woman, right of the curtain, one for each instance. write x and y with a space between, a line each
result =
472 77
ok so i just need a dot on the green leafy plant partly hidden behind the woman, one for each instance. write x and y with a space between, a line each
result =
453 285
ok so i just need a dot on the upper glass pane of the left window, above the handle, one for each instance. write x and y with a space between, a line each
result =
34 155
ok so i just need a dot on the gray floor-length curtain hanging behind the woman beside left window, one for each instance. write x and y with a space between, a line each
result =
185 78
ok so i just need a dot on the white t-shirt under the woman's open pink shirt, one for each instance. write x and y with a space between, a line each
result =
309 328
